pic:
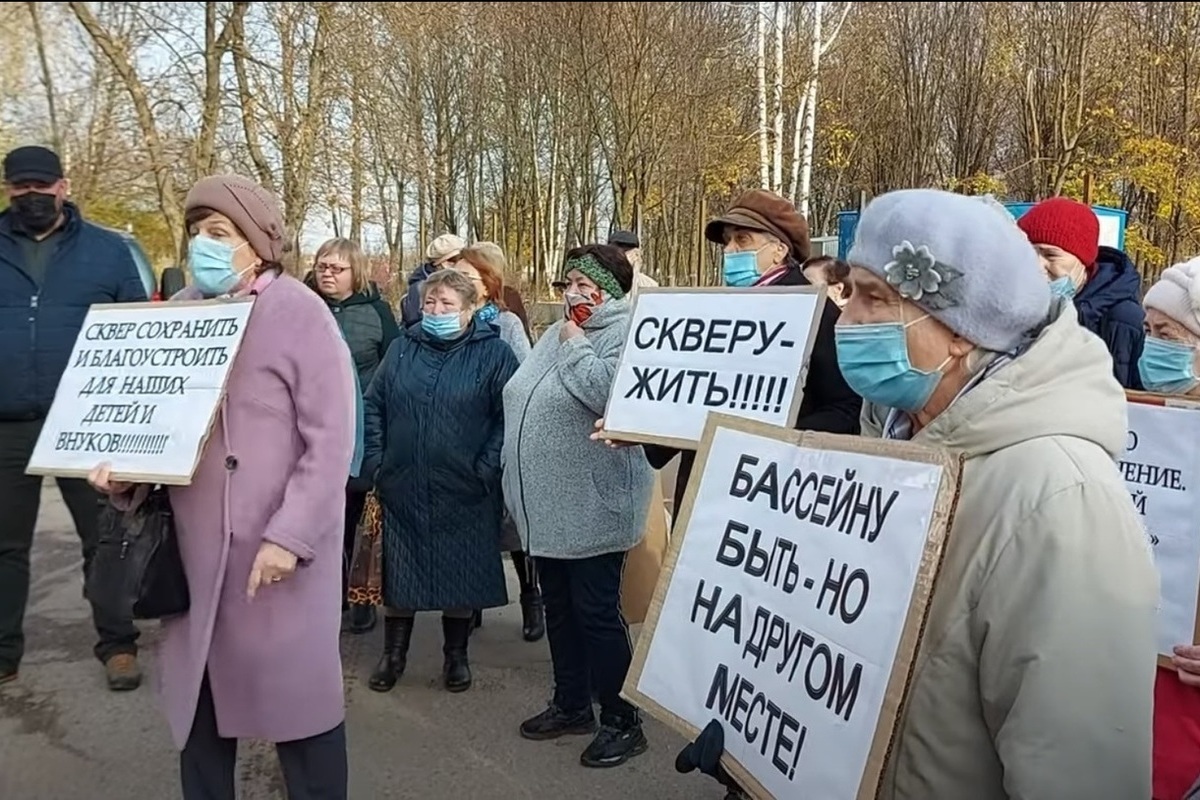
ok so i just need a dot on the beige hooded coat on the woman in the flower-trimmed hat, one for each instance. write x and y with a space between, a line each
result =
1035 681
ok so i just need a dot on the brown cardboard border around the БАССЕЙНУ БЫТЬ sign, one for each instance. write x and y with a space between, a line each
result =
941 524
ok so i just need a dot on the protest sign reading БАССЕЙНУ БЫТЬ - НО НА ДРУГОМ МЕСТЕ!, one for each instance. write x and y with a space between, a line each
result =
793 603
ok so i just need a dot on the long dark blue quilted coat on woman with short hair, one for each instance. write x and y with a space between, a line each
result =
435 429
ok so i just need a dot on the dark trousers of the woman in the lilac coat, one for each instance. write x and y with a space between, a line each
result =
314 769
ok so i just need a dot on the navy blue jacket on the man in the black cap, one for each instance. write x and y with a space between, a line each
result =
41 320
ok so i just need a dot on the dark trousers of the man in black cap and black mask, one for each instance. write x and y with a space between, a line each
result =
20 500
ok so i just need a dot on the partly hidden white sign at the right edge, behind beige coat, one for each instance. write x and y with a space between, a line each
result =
1162 468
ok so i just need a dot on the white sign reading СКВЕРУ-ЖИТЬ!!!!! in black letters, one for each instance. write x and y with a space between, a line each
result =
689 352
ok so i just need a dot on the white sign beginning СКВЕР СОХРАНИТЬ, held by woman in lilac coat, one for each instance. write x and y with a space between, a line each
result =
141 390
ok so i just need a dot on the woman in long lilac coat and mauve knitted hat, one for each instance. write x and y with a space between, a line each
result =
261 525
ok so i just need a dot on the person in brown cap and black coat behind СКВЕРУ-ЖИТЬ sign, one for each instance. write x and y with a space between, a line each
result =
769 226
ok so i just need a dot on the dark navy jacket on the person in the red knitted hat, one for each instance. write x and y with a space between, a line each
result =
1111 306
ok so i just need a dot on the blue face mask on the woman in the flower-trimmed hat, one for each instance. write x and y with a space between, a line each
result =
874 360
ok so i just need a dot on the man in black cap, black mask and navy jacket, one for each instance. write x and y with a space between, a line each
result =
53 267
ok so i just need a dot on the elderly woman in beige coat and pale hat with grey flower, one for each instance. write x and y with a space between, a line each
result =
1036 673
